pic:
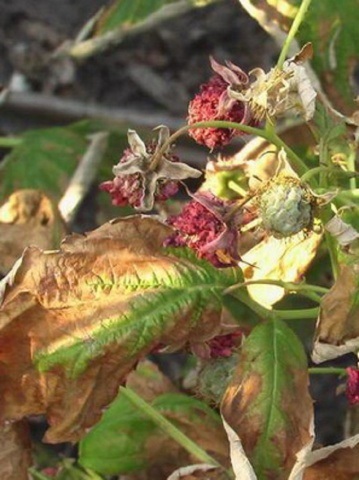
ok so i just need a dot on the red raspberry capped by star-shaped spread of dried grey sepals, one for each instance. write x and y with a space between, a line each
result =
144 174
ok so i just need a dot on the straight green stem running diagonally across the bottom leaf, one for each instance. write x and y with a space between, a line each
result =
168 427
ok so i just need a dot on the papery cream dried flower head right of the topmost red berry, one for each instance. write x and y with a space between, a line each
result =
280 90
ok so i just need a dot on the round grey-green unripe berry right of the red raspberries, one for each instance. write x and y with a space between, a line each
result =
285 206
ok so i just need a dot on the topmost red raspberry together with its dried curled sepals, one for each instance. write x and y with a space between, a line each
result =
214 103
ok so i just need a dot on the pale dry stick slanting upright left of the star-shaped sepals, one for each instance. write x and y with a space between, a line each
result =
83 176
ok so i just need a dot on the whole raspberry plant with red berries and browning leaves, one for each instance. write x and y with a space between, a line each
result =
218 278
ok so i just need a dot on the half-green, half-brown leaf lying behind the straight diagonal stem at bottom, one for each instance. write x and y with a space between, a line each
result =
125 440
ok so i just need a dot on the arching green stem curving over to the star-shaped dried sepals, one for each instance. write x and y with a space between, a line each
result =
271 137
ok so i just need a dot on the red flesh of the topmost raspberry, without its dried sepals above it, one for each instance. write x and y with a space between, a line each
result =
205 106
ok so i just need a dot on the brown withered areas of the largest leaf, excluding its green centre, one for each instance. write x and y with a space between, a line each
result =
59 301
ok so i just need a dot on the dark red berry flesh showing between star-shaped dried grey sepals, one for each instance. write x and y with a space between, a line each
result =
129 189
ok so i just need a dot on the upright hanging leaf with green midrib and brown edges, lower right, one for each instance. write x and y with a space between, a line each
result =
261 403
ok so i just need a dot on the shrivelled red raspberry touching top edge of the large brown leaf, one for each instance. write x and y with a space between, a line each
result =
201 227
